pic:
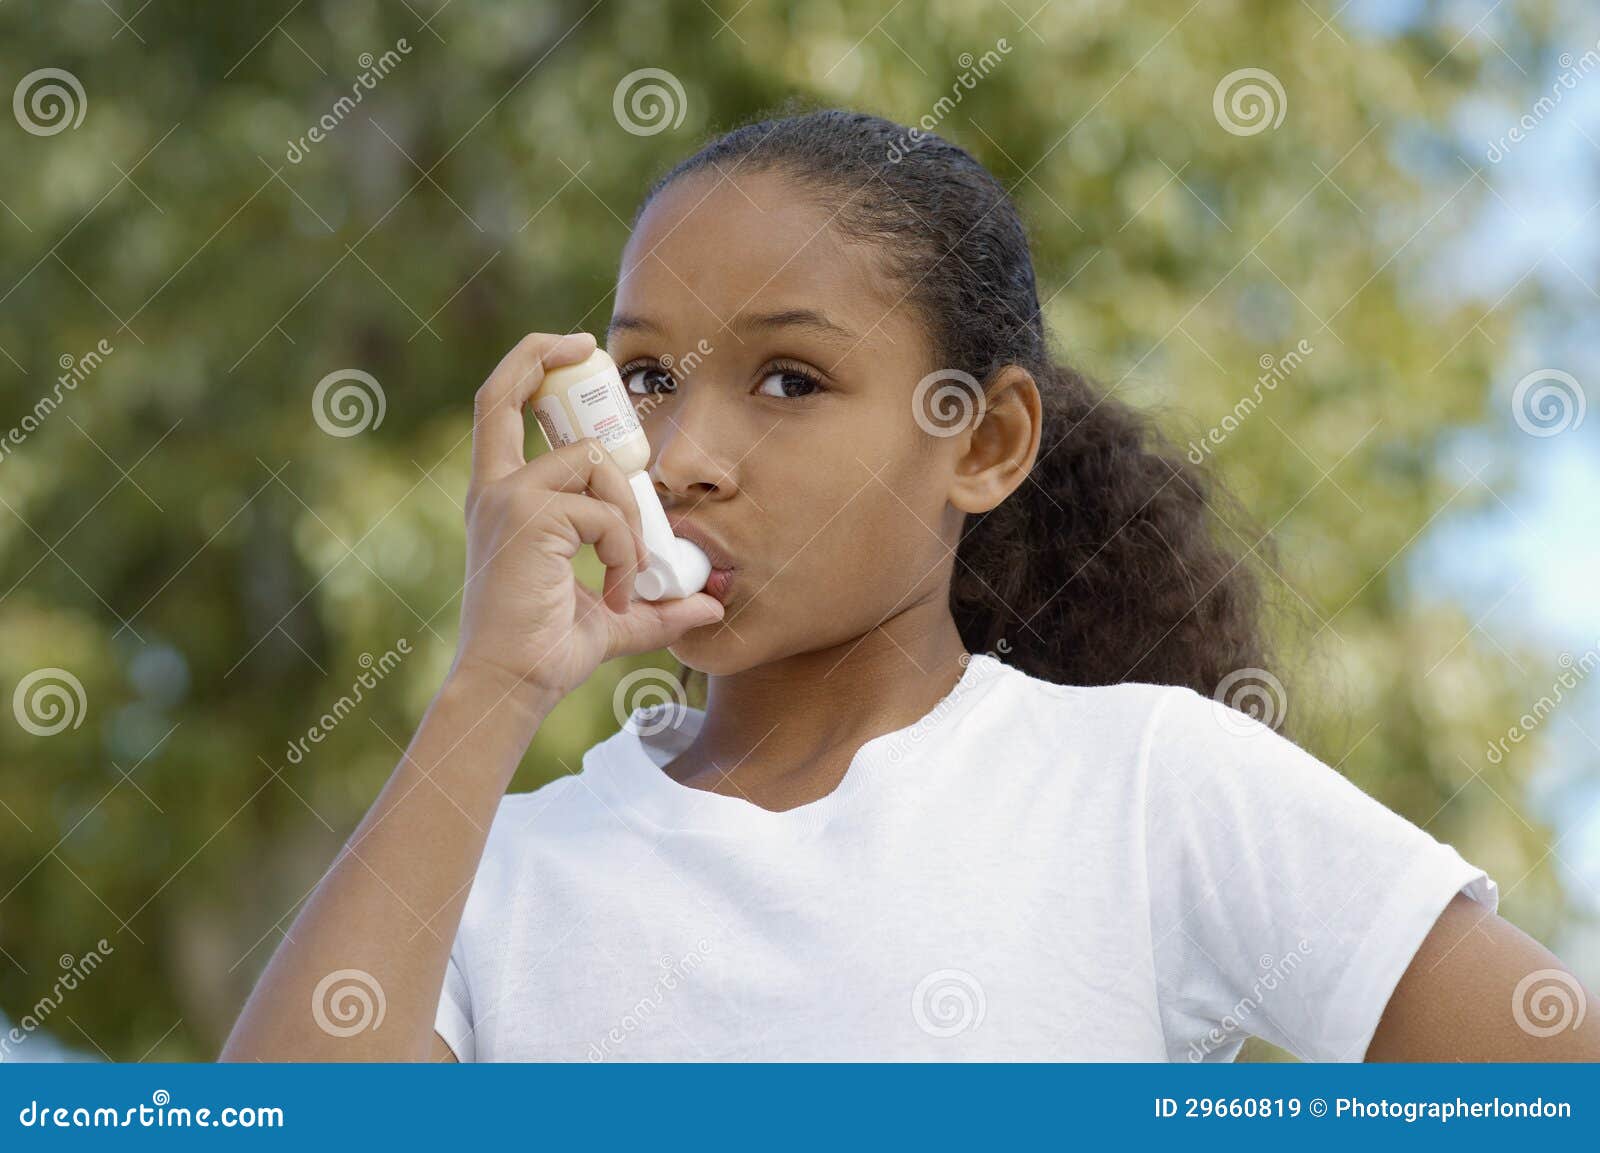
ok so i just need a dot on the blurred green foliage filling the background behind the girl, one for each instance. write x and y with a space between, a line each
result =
212 565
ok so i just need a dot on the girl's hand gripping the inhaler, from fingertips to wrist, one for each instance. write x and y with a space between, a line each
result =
526 620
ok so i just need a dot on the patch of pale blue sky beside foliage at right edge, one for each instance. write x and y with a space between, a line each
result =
1529 564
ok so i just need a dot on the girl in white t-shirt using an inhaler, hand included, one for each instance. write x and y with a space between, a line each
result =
959 789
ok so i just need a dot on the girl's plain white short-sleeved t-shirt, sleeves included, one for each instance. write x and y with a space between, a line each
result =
1031 872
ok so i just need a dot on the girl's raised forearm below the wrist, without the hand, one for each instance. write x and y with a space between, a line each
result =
390 908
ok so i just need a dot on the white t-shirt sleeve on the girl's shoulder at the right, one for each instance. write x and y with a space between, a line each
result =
1286 903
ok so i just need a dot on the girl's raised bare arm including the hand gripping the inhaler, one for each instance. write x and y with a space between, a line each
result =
380 925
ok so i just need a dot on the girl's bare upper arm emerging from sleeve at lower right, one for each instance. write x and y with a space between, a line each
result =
1481 989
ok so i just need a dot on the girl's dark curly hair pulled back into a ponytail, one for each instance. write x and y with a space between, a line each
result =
1105 565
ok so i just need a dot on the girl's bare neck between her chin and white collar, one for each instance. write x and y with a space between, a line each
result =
788 730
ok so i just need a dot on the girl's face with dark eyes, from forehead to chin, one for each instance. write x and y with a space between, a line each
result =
774 365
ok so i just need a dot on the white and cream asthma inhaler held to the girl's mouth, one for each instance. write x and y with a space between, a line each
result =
590 401
